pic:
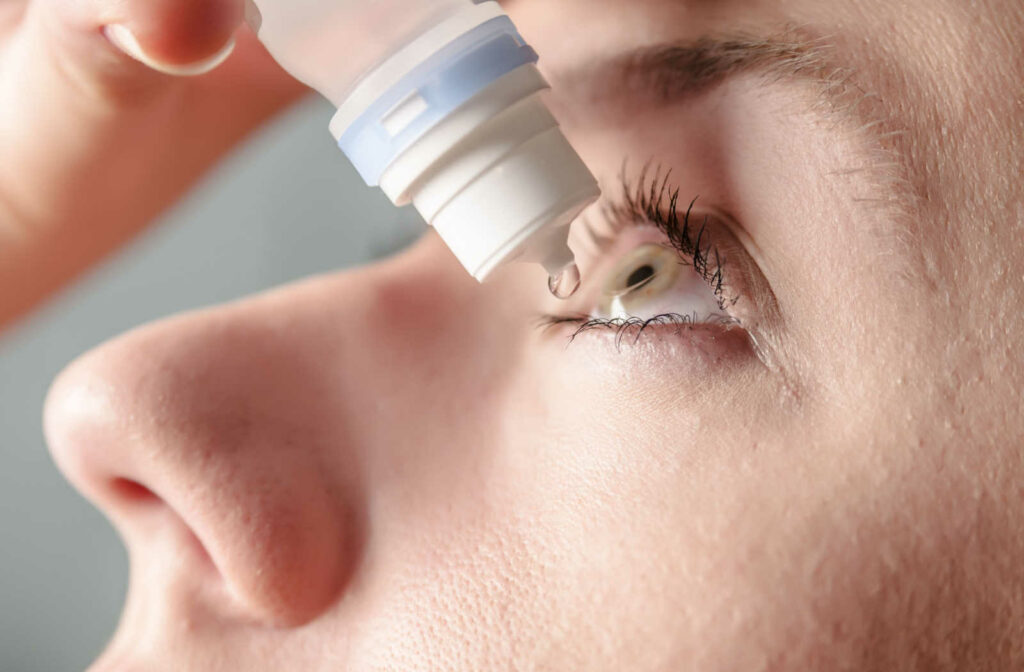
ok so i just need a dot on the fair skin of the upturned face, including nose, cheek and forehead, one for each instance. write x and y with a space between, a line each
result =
398 470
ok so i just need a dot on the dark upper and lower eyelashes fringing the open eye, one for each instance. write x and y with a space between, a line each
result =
654 201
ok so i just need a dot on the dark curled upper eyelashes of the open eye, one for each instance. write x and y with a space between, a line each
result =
653 200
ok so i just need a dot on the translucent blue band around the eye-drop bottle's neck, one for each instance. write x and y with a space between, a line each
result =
444 83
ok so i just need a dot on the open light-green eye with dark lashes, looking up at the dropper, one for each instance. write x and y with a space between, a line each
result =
661 264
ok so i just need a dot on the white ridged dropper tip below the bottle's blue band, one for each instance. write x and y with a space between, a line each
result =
498 180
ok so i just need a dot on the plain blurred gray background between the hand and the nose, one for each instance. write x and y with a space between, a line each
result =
285 206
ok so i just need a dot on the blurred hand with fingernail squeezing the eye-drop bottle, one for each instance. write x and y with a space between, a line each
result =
109 112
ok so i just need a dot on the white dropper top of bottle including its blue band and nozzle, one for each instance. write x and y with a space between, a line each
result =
456 125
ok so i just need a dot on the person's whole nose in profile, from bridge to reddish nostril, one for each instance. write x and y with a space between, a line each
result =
244 429
